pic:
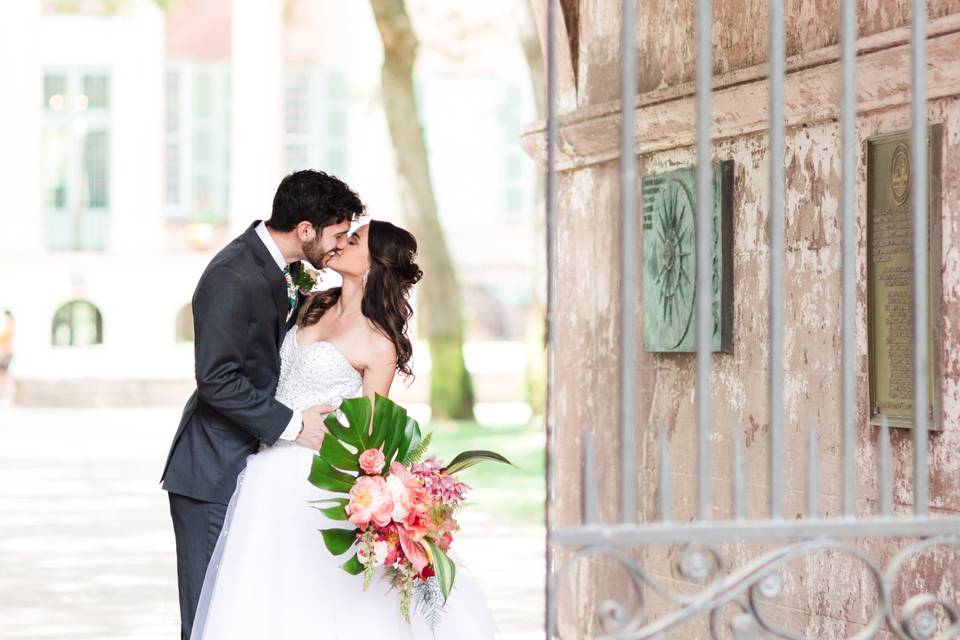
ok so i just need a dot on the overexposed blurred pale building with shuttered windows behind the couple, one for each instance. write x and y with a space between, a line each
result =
142 136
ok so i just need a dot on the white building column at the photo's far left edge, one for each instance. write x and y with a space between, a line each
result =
21 203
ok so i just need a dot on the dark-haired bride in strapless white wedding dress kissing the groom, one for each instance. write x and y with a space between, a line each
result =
271 577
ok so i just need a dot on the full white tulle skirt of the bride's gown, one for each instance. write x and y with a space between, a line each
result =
271 577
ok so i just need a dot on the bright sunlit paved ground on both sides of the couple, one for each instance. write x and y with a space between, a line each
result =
86 548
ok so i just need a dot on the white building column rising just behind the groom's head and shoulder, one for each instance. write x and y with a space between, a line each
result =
256 165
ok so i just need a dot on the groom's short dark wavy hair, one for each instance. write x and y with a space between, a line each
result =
314 196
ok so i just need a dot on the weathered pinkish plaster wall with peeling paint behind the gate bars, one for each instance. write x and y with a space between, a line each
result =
827 596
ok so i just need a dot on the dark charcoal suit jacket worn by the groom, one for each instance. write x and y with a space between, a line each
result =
240 318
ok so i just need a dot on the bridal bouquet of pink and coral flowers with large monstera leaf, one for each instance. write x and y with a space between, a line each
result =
401 504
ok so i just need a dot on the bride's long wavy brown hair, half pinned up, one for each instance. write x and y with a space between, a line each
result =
386 293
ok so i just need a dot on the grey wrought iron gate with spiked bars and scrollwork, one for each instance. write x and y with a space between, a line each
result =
745 586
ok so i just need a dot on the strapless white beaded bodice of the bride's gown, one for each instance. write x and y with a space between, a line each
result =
316 373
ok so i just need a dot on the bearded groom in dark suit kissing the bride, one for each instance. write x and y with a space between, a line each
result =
243 305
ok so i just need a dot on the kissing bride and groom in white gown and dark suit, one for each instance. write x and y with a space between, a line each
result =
273 359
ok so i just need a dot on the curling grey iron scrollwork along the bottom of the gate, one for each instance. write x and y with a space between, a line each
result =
921 616
